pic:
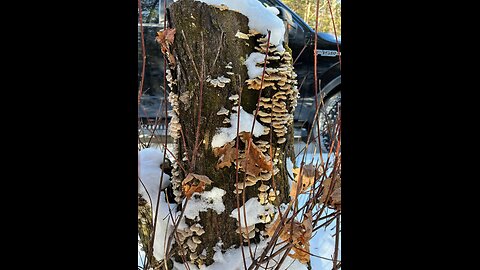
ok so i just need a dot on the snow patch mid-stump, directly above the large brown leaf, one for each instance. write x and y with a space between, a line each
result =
225 135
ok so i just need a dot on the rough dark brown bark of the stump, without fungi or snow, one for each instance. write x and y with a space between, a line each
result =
205 42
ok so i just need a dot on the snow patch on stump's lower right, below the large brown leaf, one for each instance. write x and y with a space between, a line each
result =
253 210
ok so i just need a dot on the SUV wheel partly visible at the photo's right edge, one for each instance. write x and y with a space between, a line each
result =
328 118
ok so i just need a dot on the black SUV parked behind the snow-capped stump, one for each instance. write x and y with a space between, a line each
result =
301 41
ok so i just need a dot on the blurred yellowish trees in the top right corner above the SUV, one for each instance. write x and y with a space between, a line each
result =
306 10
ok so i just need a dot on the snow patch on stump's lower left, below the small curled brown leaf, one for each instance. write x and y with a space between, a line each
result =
211 199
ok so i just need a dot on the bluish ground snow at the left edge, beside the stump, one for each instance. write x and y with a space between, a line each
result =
149 172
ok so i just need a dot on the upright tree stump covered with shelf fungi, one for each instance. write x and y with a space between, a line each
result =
206 73
